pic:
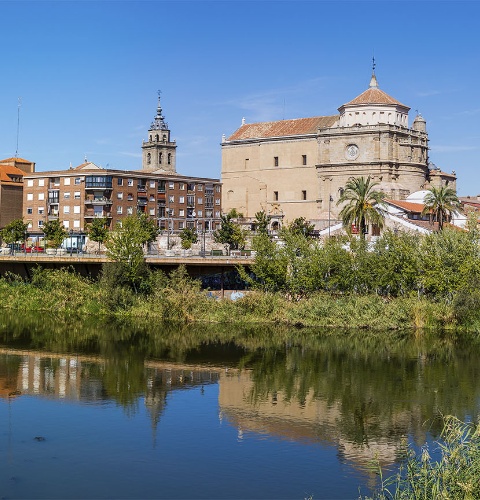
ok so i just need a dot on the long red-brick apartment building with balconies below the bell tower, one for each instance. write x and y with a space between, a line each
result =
77 196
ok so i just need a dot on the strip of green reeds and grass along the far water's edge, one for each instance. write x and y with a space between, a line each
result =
178 298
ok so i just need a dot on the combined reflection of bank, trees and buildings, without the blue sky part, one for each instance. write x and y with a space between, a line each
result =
359 395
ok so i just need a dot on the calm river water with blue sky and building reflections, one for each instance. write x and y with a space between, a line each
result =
109 411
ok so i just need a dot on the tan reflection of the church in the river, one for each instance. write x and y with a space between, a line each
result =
313 420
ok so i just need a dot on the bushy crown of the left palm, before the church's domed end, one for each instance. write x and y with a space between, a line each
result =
363 203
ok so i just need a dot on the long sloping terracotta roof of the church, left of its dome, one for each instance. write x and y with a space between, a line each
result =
283 128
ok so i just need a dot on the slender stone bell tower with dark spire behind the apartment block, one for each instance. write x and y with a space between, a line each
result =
159 152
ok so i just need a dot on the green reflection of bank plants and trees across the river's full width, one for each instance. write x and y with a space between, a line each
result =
384 384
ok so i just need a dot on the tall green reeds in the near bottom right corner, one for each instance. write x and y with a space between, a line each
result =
454 475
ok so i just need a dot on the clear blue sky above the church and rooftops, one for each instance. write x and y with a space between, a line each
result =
88 73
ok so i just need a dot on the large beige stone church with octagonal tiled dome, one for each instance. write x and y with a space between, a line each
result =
298 167
